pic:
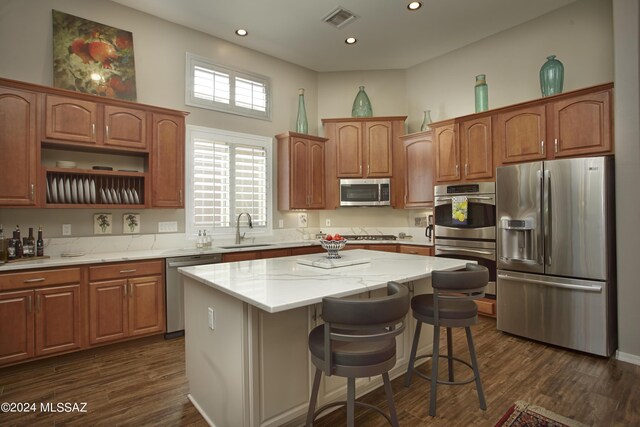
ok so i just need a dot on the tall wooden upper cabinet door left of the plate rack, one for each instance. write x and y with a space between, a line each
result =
18 145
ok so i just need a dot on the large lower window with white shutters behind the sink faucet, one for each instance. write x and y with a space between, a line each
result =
228 173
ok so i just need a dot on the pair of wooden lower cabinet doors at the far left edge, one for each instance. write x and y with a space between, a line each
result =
39 322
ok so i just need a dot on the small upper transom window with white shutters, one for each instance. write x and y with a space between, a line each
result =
221 88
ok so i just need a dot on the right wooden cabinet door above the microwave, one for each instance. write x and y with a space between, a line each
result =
377 147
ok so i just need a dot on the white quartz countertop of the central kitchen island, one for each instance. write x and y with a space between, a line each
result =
280 284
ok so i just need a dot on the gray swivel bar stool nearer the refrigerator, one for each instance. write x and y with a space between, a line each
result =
451 305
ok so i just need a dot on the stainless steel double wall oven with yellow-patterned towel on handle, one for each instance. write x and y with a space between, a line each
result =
474 237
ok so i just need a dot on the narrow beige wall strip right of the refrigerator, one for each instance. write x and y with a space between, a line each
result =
626 32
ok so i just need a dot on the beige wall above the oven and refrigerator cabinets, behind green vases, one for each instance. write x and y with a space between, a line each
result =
580 35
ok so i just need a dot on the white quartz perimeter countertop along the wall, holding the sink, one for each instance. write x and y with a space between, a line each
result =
133 255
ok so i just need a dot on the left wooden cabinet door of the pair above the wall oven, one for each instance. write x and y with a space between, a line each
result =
447 153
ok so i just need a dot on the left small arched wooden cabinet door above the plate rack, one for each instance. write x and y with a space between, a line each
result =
71 119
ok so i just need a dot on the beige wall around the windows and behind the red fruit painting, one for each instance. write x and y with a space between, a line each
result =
160 49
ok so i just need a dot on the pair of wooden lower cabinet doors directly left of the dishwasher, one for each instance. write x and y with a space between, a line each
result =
124 308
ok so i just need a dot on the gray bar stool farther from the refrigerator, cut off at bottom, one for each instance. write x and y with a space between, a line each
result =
357 340
